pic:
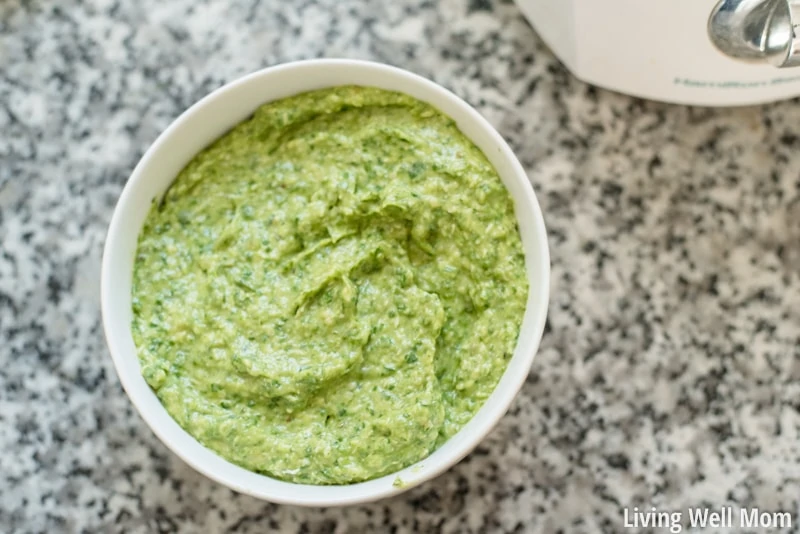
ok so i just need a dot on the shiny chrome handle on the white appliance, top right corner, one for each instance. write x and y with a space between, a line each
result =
757 30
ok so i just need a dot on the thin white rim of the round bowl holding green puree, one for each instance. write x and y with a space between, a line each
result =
458 446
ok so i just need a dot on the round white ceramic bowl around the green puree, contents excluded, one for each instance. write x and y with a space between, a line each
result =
207 120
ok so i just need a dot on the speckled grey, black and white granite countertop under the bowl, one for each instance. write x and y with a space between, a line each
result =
669 373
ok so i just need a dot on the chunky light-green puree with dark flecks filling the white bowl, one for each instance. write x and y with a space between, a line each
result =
332 289
